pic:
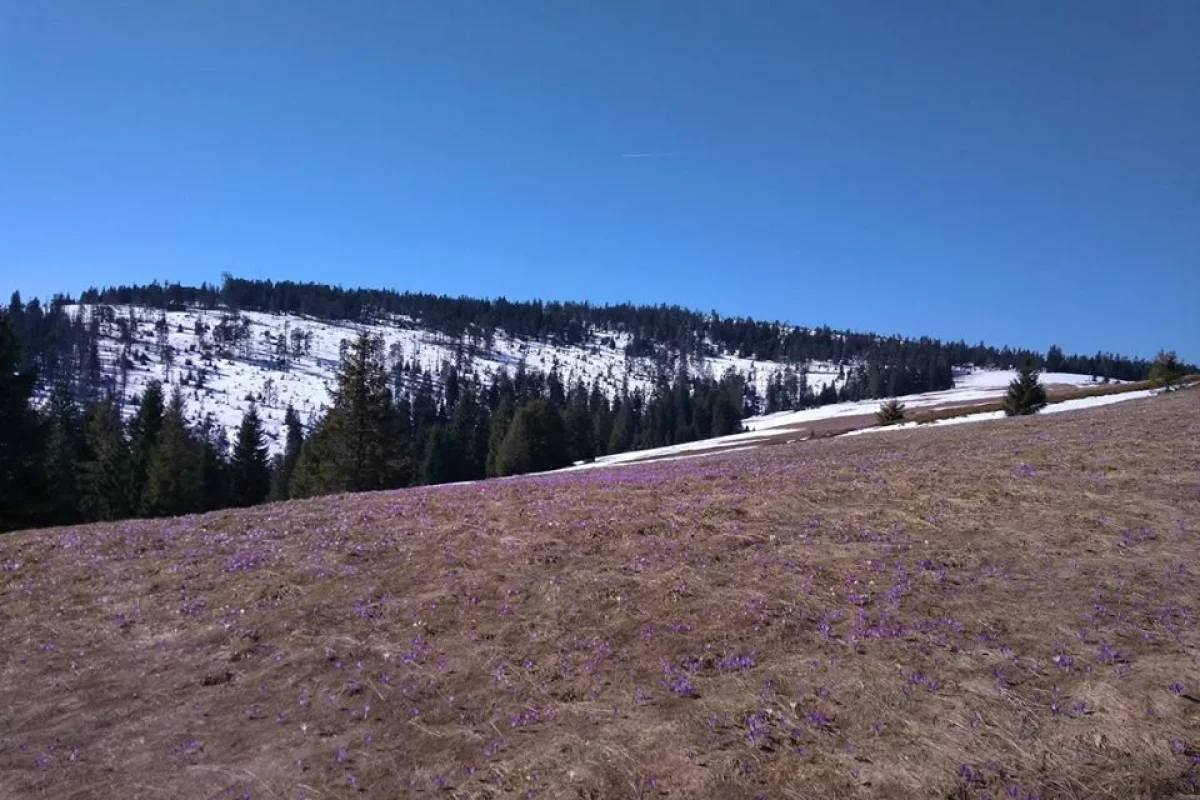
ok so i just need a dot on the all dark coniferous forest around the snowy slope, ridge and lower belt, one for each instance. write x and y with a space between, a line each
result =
69 455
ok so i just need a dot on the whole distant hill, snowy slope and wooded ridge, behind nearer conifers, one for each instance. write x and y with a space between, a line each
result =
279 345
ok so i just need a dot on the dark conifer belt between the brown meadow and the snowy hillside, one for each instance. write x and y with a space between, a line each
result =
75 459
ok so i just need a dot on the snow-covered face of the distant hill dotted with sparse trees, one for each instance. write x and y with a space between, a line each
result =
223 360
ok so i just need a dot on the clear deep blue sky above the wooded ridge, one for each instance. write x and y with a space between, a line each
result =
1024 172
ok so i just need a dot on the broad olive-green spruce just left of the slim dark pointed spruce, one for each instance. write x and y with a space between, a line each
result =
175 479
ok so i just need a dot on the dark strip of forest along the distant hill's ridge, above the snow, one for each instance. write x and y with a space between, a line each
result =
653 332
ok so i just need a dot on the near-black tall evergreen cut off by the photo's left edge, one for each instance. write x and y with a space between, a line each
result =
22 501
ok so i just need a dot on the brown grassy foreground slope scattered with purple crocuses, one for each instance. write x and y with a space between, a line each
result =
944 615
